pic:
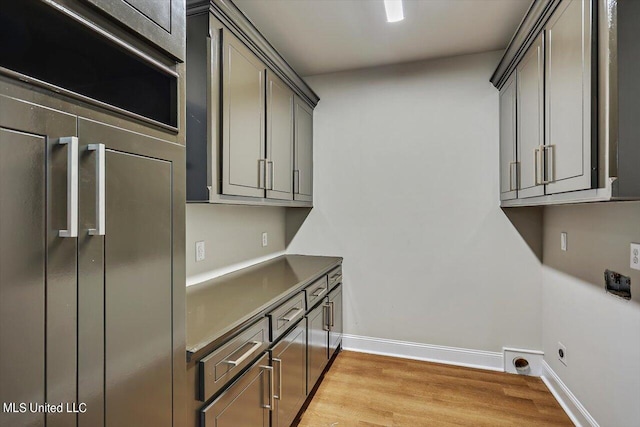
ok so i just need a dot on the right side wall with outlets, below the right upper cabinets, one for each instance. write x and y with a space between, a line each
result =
601 332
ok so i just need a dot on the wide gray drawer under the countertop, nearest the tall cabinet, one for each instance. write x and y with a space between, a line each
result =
219 367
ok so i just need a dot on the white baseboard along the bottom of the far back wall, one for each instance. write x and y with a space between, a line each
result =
432 353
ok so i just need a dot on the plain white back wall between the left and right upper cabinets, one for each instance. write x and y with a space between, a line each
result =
406 190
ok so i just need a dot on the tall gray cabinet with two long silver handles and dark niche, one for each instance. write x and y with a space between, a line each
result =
91 229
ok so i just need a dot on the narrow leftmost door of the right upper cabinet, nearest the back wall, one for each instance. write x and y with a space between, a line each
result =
508 184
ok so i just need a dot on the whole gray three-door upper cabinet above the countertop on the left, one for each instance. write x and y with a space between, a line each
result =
249 115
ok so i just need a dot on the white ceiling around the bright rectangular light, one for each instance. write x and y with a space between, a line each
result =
322 36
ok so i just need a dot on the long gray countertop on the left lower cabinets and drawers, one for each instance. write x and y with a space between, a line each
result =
220 305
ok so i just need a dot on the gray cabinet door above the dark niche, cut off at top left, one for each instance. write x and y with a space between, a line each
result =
162 22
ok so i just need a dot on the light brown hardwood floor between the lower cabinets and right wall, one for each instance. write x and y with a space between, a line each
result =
370 390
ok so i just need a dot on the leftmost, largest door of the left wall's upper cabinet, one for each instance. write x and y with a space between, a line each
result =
243 120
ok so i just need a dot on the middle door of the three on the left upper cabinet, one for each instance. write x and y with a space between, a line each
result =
279 139
